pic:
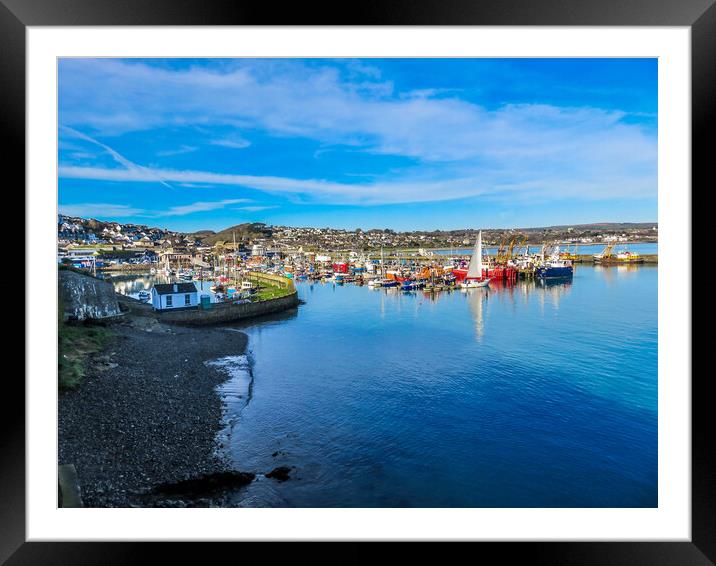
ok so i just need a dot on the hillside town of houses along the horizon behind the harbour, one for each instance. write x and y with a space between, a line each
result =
139 243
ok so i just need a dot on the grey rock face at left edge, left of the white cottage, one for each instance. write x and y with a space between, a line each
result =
85 297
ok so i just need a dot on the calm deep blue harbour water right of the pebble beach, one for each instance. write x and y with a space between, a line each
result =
522 396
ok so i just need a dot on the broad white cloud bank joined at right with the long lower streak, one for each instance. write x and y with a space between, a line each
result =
457 148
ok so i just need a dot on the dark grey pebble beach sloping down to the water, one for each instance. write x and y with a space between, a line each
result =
141 429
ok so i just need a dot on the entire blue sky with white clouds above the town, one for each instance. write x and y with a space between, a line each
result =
406 144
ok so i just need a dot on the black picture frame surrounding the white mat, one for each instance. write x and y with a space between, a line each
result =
699 15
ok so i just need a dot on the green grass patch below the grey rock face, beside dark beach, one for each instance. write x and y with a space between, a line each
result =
75 343
